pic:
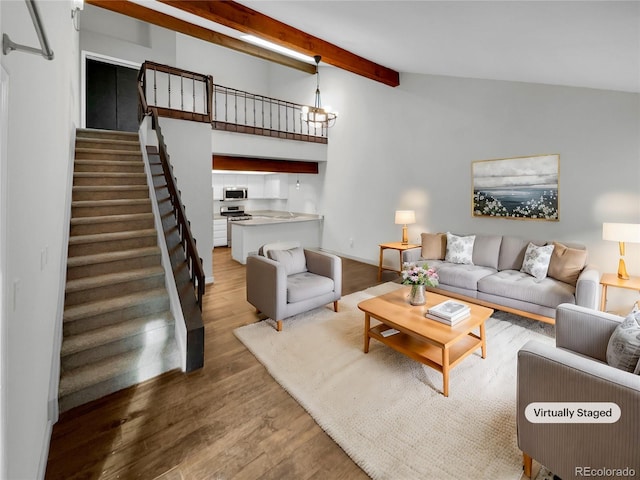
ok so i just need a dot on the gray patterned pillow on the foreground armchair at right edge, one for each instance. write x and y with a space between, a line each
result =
623 350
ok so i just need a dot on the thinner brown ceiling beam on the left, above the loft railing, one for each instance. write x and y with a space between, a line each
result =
167 21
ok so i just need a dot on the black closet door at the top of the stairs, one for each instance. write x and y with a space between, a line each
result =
112 99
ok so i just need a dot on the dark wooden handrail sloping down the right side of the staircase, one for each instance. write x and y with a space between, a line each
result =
194 262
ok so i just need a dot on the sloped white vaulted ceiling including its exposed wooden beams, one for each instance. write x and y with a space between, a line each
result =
594 44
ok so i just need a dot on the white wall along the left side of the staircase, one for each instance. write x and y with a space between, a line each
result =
42 112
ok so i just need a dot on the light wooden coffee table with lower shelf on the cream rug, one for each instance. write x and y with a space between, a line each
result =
435 344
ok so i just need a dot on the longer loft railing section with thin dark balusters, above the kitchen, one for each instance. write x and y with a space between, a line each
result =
243 112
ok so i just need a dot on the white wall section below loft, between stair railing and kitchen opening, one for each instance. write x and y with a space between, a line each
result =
189 146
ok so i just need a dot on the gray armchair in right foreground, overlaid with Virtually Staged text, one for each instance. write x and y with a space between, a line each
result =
576 371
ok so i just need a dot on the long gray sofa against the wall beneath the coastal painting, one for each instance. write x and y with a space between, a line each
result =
495 280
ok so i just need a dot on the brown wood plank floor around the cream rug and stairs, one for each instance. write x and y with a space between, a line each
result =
228 420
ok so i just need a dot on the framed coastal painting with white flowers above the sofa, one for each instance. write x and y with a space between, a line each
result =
521 188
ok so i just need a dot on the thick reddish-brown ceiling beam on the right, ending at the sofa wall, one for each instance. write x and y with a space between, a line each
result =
238 17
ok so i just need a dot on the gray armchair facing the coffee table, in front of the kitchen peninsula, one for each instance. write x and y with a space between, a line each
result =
281 289
